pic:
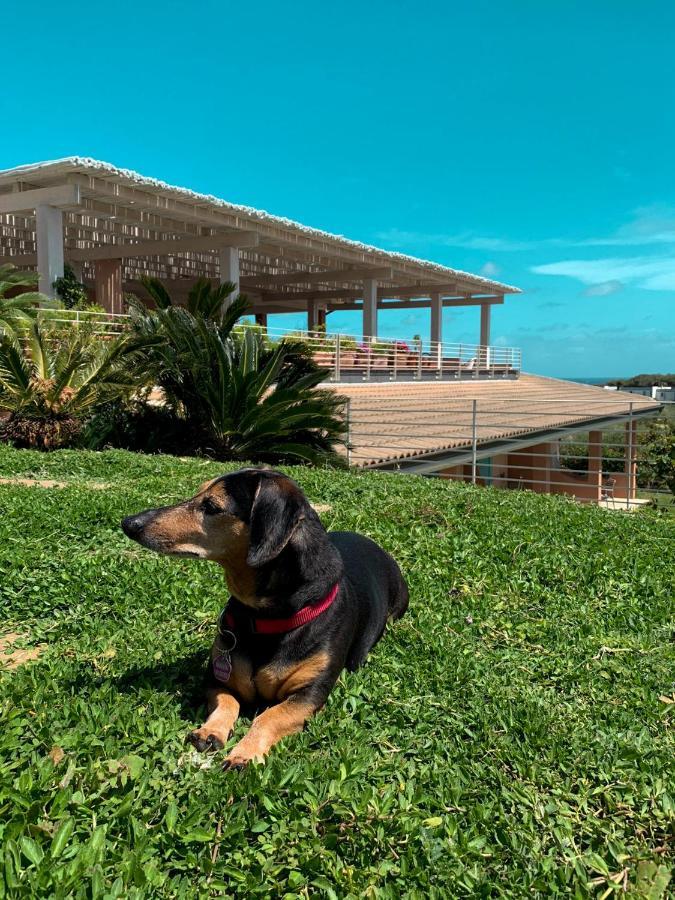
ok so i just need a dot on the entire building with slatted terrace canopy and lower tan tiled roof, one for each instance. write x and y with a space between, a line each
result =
456 410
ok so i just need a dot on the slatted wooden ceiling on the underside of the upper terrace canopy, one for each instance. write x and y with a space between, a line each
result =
119 205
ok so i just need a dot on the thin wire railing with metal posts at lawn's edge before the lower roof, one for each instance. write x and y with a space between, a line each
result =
615 452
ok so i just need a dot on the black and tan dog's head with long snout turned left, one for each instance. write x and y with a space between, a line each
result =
247 516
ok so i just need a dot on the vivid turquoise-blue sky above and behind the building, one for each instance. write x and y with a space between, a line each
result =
531 141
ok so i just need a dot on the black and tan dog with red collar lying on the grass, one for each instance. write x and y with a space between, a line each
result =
305 603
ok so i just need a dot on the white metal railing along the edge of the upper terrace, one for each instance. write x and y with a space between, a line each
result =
348 358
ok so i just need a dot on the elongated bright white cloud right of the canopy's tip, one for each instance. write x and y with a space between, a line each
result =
651 273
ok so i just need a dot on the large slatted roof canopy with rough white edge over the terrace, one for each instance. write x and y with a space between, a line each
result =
176 234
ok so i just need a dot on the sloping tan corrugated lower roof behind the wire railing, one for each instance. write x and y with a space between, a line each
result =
401 421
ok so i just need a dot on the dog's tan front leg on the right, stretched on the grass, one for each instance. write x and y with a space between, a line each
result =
270 726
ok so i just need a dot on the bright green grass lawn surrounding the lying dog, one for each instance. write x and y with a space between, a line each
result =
509 737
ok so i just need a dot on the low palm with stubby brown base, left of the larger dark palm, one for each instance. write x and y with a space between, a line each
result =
50 385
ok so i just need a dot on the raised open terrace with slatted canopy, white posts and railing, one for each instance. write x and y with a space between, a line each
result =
112 226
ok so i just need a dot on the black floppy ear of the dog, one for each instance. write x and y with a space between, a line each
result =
278 508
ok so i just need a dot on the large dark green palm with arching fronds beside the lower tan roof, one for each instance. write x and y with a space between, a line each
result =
236 395
